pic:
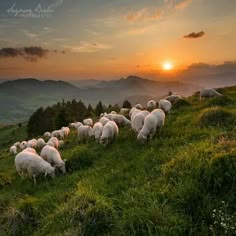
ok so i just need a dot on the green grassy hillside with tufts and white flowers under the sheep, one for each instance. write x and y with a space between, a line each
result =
181 183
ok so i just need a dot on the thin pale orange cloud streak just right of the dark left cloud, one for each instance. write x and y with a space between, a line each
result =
87 47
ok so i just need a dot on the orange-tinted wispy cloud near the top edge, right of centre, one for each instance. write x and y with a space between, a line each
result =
143 15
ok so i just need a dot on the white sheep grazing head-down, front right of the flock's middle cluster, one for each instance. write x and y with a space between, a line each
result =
109 132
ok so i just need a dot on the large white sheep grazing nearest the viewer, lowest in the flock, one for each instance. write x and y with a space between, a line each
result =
33 164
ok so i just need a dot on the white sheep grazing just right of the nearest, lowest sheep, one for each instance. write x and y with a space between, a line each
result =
51 155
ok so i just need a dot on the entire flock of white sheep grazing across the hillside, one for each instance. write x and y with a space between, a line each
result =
145 123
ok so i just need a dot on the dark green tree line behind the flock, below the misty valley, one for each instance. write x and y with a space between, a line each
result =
64 112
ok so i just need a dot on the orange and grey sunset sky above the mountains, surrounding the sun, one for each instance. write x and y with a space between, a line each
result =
107 39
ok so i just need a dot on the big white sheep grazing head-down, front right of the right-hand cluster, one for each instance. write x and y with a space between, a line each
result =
155 120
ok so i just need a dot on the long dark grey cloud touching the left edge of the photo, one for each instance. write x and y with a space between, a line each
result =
28 53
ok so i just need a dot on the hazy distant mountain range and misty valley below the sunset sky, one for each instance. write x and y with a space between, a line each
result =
20 98
